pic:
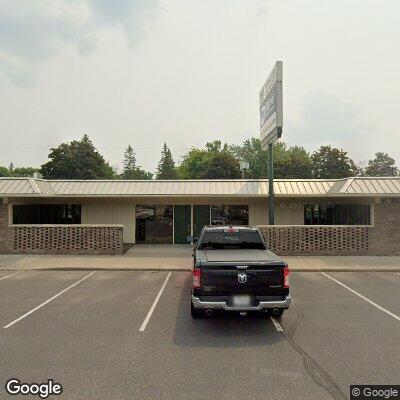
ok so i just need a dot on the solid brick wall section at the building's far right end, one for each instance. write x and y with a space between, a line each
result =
385 235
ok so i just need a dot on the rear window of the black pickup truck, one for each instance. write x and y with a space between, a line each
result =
231 240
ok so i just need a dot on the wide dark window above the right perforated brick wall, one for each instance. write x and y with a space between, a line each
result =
336 214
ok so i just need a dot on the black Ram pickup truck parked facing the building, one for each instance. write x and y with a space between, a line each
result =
234 271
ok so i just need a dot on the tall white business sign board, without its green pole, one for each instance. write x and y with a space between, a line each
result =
271 110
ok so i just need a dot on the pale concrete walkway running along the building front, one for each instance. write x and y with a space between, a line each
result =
178 258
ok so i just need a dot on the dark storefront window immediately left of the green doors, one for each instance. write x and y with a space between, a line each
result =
154 224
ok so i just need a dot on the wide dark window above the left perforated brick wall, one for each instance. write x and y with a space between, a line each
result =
47 214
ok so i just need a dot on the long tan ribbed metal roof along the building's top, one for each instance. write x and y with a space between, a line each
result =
257 188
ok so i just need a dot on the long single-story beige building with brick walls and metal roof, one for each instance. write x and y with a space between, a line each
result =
313 216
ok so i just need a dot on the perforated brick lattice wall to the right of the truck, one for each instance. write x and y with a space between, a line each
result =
317 240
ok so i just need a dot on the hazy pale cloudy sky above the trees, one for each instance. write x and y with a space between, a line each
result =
189 71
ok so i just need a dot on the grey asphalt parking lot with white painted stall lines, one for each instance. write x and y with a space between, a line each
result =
82 329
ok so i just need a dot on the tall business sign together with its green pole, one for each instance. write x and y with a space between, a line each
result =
271 122
